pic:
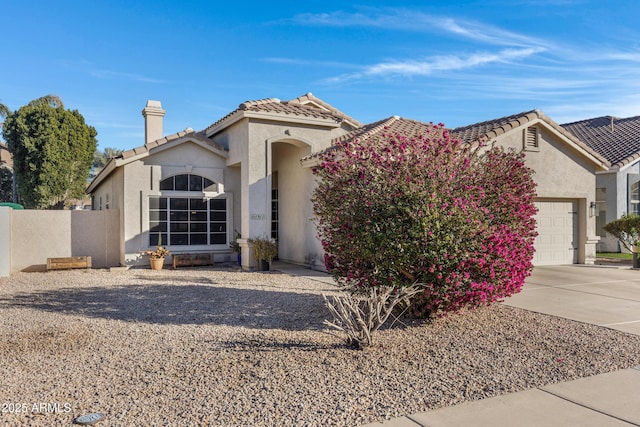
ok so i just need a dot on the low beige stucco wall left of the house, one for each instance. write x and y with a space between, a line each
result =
38 235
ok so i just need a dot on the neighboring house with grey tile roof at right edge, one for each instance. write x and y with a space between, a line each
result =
618 189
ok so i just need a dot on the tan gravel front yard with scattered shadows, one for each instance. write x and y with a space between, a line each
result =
224 348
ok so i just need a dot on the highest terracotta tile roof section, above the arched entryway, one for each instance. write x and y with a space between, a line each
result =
303 106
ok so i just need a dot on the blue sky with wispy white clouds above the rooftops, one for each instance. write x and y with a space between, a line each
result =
453 62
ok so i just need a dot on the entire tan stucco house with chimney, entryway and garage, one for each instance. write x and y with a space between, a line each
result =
250 172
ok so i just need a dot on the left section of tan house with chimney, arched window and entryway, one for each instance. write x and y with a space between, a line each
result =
194 190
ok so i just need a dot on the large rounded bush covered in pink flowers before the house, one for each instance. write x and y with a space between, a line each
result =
458 219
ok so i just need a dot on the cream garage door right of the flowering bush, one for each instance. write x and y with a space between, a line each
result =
557 241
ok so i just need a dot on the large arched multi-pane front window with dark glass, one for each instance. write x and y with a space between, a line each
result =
181 220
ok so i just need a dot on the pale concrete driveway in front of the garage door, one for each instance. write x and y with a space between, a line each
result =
604 296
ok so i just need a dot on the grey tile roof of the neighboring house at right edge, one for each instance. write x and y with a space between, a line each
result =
616 139
